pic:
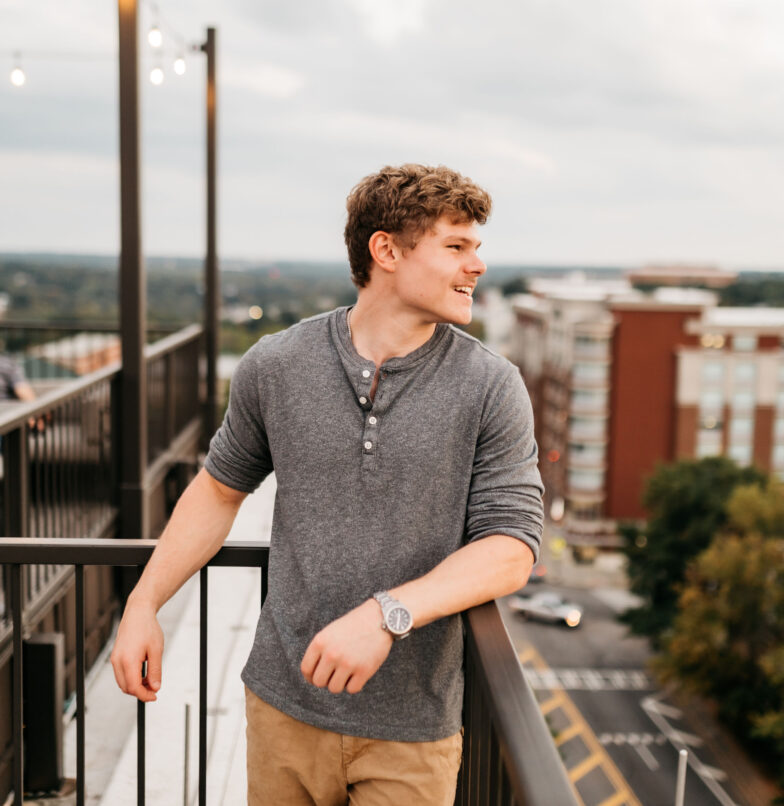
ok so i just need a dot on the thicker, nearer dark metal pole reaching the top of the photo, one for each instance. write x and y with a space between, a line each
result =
133 506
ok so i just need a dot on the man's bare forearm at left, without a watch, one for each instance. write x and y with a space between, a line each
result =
196 530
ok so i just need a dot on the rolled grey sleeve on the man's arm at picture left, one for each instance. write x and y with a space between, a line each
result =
239 454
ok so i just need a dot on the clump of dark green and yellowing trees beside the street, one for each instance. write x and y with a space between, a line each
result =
709 567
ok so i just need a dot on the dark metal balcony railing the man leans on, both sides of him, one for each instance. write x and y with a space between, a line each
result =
508 752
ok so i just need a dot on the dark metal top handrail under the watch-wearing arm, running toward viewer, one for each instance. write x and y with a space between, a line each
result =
536 773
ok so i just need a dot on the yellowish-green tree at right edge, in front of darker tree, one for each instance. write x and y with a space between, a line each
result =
727 640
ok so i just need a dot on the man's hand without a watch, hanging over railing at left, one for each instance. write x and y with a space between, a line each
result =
139 639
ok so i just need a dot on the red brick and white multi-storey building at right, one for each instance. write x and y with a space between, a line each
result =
622 380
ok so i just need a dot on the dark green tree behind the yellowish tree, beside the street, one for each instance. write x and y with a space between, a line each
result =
687 505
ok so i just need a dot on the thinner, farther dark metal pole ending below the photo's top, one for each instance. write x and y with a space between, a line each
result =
212 289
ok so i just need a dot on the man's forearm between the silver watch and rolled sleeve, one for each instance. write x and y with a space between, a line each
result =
486 569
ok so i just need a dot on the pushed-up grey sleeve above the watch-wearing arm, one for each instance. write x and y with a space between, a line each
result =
506 490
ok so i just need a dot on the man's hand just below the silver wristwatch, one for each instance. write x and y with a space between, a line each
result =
349 651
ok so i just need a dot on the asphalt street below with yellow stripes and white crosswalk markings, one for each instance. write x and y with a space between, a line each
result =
617 733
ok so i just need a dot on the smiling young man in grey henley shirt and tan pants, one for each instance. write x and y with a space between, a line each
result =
407 491
